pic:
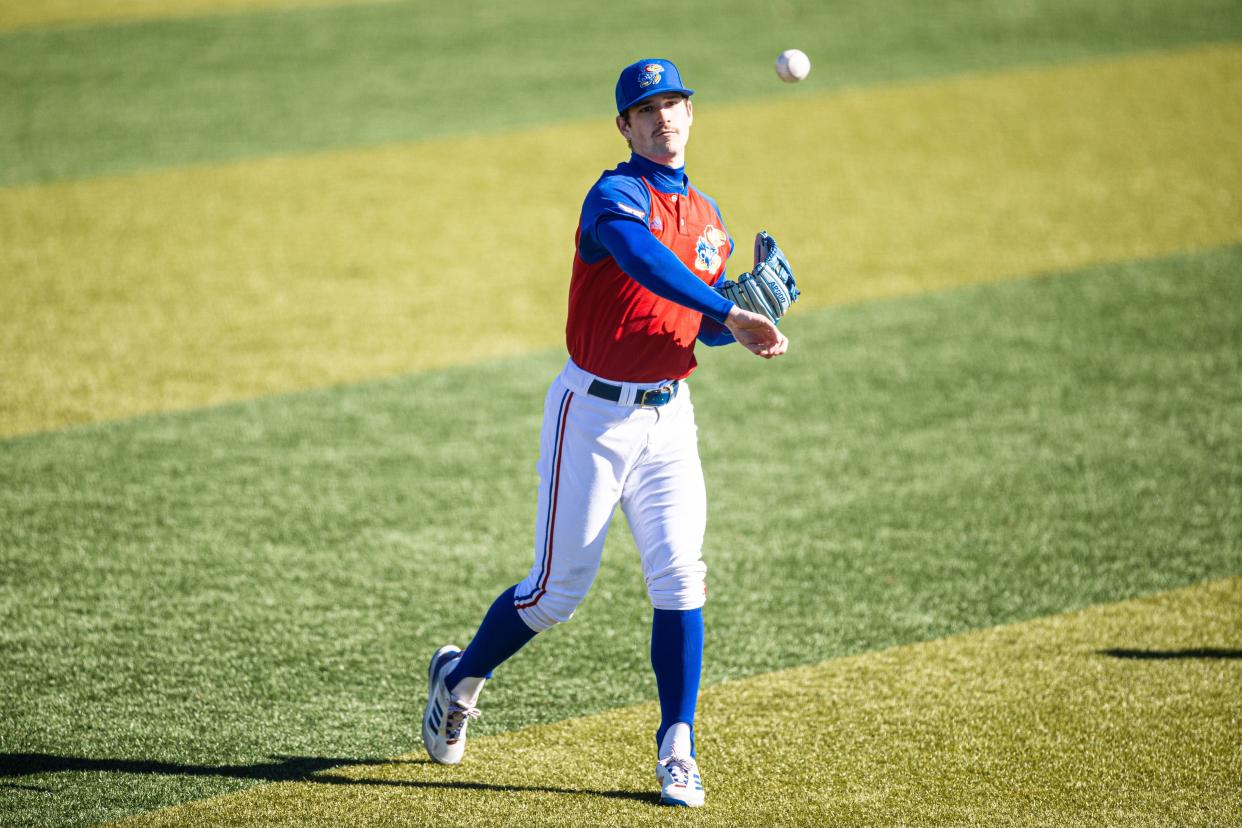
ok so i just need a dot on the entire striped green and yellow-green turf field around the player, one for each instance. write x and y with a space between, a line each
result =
281 295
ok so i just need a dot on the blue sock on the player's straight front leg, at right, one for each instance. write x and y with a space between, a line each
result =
678 660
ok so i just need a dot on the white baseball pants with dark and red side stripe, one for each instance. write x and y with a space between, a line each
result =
596 454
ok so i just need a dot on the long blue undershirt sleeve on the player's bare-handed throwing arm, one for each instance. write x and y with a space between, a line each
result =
658 269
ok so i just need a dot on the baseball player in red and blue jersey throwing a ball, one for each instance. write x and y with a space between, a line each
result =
619 426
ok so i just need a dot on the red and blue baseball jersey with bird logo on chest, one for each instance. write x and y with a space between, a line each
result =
618 328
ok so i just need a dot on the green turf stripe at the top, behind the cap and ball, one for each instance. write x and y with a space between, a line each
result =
90 101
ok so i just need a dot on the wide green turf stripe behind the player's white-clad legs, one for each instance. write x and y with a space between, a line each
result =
189 599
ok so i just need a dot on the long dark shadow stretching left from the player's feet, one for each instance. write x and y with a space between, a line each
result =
280 769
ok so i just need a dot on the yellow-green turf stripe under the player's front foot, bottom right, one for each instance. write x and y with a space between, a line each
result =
1118 714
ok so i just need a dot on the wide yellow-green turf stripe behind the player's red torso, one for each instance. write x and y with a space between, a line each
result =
193 287
